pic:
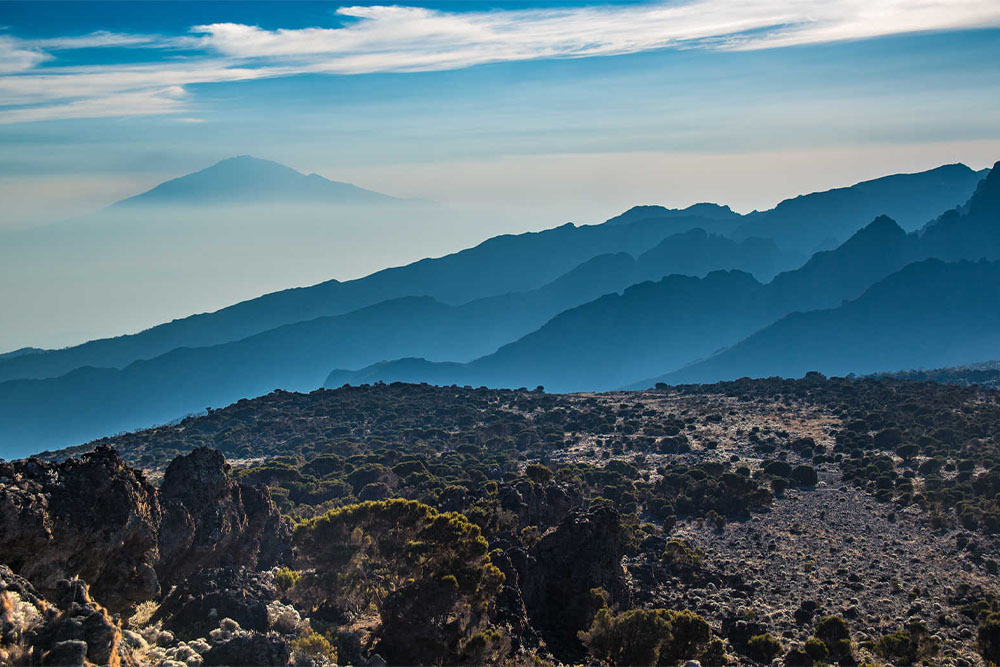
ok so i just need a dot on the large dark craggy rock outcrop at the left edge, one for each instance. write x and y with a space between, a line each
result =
96 518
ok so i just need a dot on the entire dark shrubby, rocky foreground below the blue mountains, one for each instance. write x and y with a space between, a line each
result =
759 508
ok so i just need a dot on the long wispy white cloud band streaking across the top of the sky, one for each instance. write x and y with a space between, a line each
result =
410 39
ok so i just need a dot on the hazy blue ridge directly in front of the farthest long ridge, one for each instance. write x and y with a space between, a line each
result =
89 402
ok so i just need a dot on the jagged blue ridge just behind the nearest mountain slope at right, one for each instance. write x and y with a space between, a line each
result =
598 345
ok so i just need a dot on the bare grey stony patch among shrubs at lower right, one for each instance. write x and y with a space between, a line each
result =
852 556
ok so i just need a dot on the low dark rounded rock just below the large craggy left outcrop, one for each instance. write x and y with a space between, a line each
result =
195 607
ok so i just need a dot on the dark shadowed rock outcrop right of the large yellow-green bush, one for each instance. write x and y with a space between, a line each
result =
582 553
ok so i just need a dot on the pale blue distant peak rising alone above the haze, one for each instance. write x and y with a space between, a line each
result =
248 180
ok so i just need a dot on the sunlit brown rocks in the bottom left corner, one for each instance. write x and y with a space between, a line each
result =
71 630
